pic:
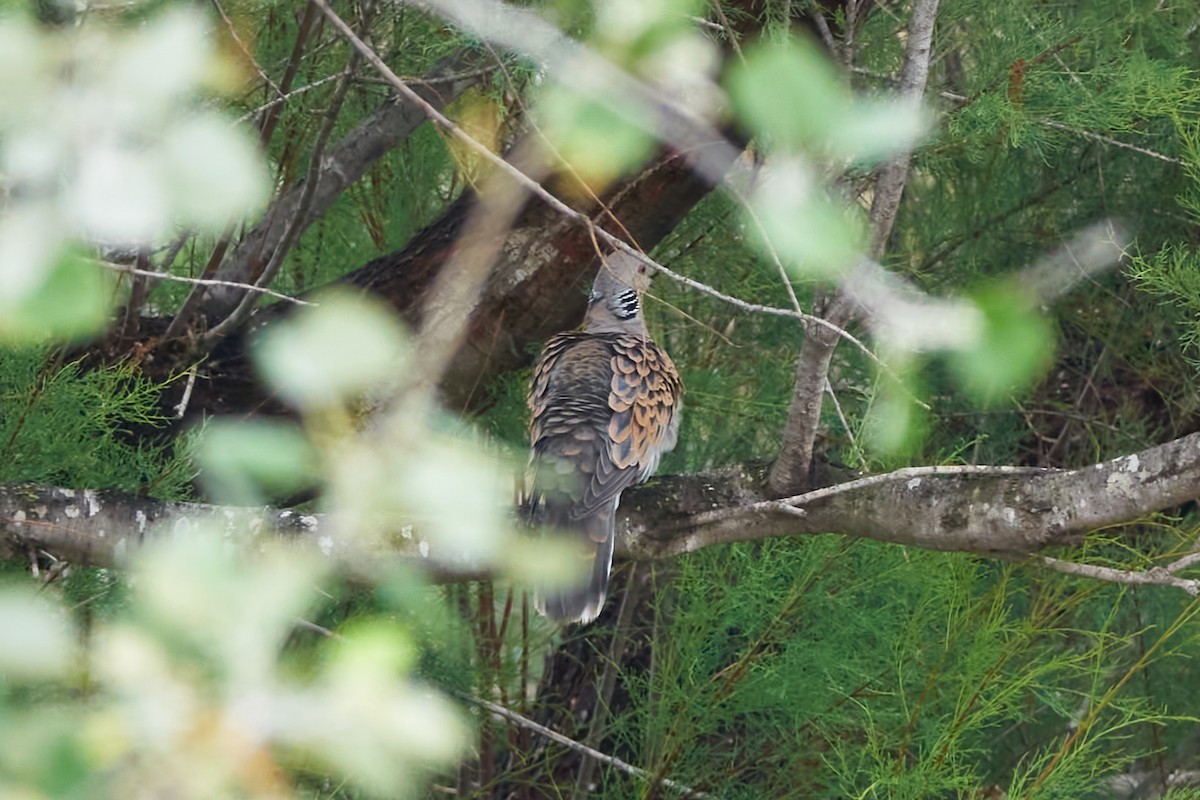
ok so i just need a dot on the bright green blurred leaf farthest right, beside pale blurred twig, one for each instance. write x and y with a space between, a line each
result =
1012 351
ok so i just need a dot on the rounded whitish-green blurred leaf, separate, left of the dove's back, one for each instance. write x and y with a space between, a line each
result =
333 353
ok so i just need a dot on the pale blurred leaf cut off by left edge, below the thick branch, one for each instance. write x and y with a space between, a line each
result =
35 640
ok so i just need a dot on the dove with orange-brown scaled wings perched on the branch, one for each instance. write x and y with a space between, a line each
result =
605 407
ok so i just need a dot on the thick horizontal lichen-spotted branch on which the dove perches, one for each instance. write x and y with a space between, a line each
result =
1009 513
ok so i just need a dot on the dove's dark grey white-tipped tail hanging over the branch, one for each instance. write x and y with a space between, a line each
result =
596 534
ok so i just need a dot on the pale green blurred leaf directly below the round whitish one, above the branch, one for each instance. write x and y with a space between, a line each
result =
248 462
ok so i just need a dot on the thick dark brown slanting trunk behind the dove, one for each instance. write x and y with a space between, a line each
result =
536 288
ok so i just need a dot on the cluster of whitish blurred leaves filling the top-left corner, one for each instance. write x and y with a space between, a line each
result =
104 128
